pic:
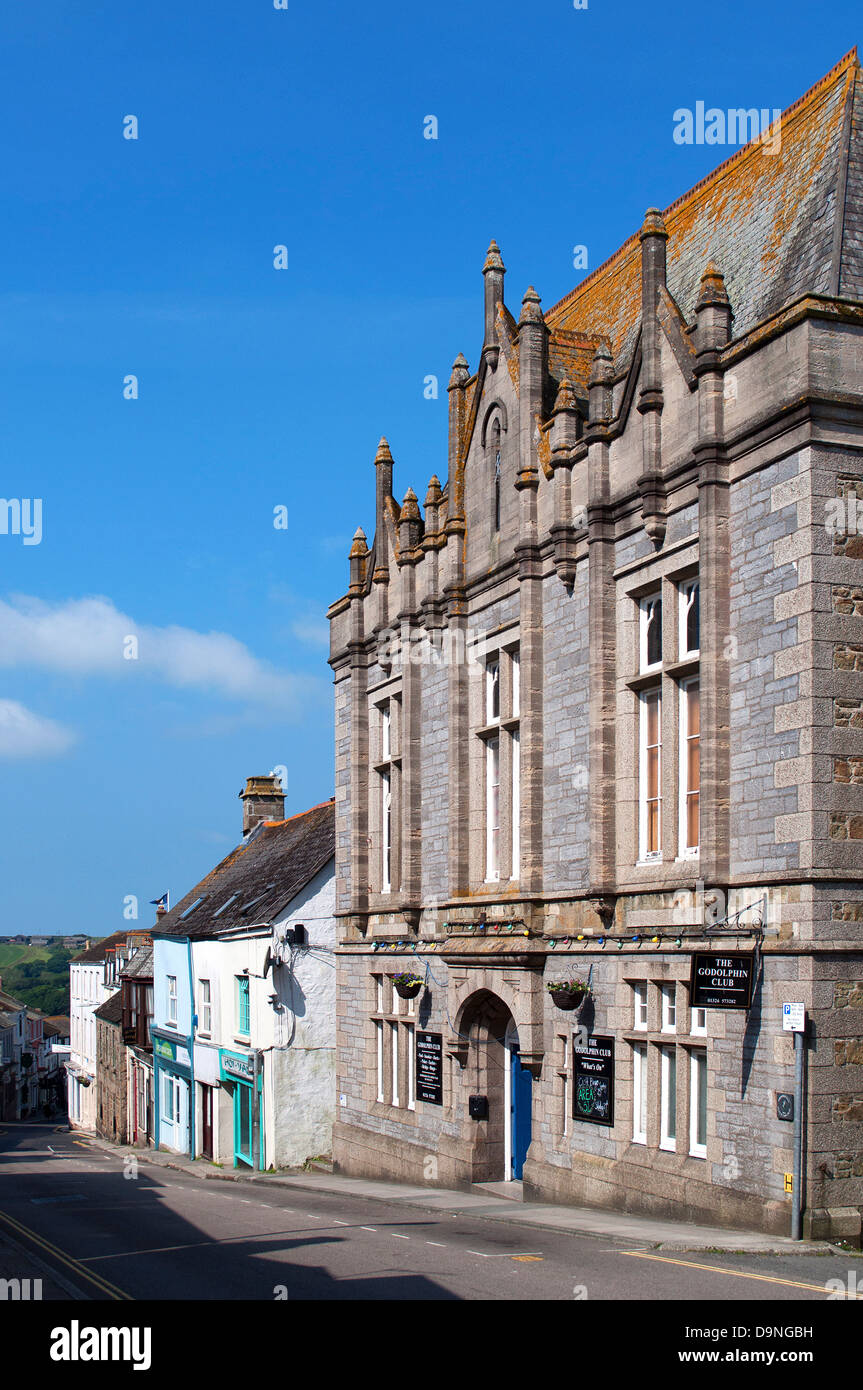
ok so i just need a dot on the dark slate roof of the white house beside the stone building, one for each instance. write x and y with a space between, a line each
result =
259 878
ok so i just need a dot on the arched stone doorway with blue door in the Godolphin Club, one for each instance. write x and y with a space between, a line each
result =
494 1074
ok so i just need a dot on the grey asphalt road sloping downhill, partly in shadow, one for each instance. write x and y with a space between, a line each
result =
165 1235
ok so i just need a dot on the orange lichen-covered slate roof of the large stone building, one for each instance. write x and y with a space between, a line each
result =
779 226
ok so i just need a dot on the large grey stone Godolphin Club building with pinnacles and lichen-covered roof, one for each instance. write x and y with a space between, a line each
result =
600 717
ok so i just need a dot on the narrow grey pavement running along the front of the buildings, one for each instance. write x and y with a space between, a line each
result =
486 1204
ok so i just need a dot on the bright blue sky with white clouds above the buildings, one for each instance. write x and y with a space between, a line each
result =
263 389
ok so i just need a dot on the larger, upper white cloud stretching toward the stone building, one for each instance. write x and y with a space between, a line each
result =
91 637
